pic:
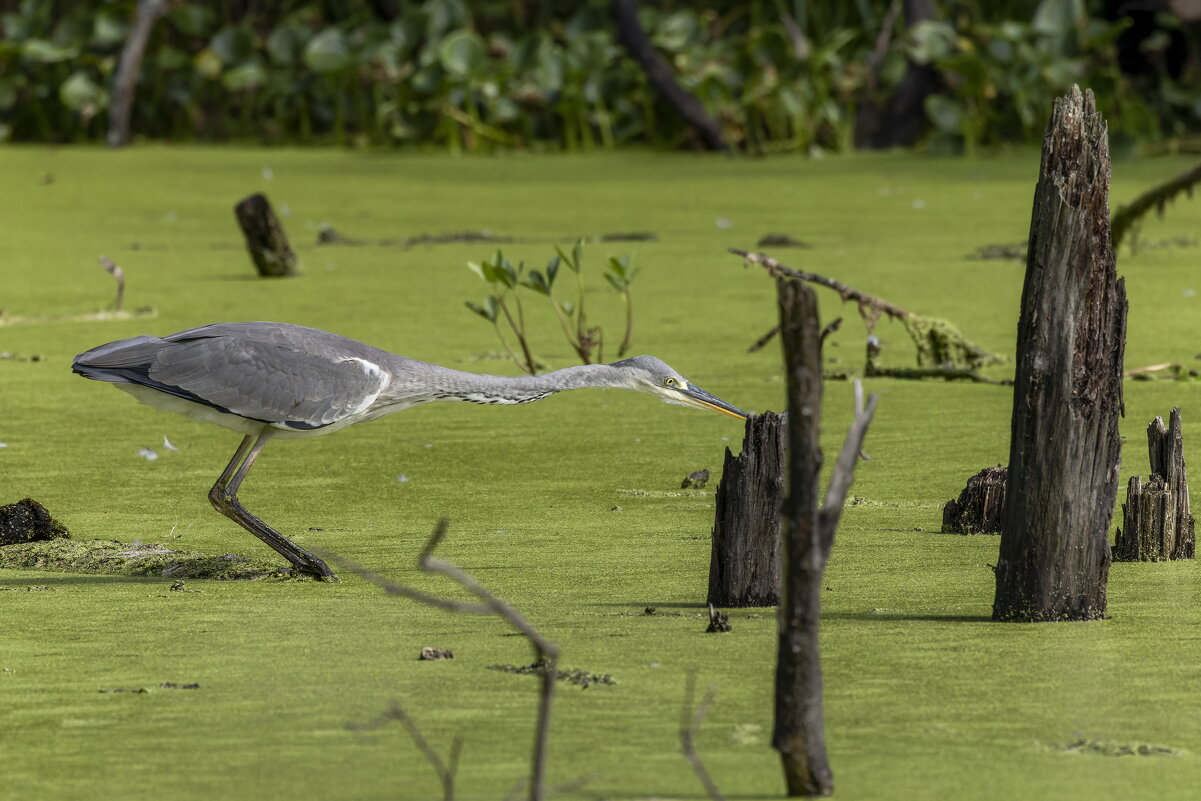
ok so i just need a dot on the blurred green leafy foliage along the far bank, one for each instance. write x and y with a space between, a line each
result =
779 75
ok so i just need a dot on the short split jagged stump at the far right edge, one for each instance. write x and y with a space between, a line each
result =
1157 522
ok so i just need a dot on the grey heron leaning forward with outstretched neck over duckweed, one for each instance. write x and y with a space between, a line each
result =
277 381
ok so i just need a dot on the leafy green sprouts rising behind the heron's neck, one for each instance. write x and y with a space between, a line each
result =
505 304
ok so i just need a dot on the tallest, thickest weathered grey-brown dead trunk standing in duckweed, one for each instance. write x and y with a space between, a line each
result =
1065 449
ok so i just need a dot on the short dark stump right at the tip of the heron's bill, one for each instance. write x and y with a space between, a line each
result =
744 569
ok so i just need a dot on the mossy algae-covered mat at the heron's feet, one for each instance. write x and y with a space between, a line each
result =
112 558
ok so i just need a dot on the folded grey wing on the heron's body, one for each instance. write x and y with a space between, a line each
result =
268 382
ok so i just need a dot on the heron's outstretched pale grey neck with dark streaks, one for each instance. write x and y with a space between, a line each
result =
456 386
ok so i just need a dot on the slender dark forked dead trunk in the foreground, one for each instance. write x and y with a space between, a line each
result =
806 537
